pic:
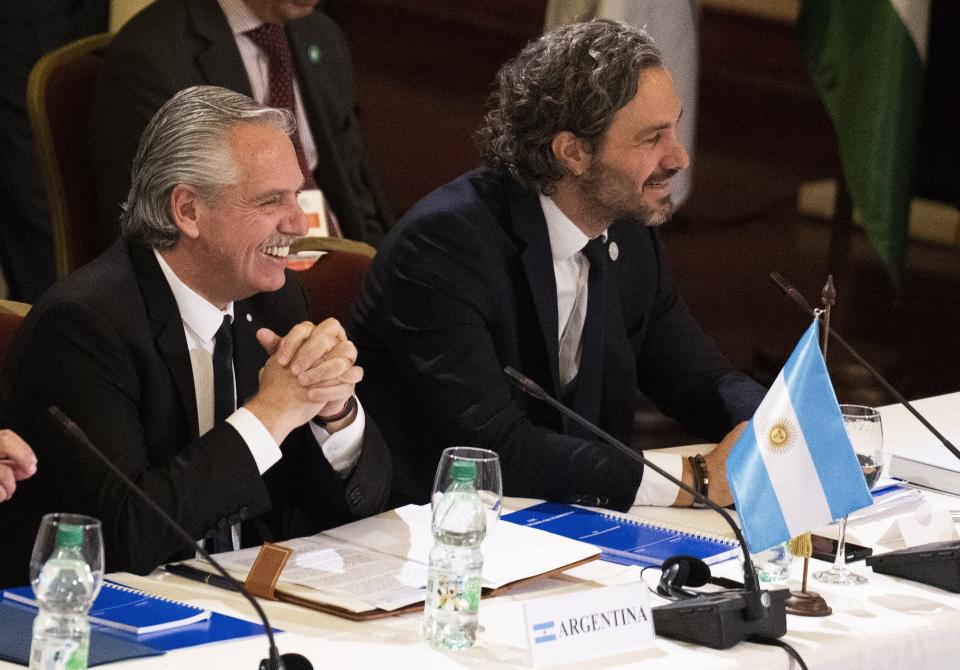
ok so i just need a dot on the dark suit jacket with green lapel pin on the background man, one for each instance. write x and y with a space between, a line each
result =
173 44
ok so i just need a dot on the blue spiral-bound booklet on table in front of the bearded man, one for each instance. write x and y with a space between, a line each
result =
624 541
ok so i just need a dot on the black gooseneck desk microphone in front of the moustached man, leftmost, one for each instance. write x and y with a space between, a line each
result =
274 661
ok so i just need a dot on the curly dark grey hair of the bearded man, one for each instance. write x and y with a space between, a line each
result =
574 79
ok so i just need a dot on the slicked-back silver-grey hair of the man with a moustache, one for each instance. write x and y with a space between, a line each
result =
186 143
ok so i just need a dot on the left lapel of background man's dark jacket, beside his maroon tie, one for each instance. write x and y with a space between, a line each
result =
220 62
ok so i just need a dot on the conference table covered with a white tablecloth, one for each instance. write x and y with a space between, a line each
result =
887 623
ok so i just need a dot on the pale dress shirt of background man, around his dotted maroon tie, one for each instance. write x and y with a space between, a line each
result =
241 19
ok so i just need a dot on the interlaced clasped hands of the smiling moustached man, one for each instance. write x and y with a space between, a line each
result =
311 371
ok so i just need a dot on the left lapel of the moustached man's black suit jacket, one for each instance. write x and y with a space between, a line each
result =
167 328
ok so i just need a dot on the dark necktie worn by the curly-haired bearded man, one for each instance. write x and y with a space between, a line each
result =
589 382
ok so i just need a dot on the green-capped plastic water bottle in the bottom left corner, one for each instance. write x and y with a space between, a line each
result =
64 590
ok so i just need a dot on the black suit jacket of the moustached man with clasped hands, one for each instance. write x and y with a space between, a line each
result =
107 346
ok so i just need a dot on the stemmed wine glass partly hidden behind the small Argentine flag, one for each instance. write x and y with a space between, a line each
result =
866 435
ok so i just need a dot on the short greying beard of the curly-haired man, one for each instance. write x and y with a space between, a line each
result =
611 195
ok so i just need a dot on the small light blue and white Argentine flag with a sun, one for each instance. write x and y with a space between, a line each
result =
794 469
